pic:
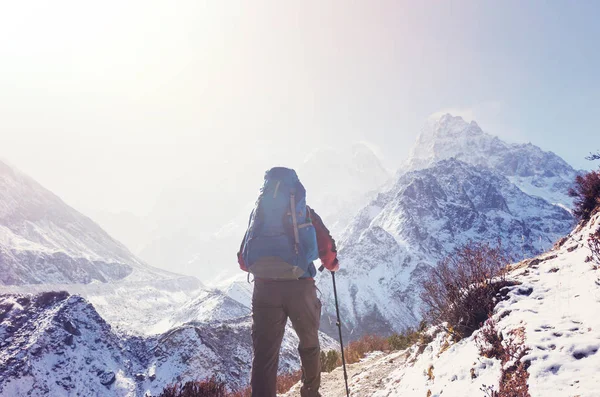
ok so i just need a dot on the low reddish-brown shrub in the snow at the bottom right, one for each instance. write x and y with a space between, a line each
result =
510 351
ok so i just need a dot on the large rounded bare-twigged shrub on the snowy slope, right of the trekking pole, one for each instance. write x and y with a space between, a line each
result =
463 289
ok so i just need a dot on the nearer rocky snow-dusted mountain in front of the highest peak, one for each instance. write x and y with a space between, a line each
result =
421 218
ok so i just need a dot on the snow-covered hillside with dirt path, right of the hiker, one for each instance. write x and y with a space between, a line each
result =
558 306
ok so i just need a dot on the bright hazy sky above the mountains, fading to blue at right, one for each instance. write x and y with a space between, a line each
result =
108 102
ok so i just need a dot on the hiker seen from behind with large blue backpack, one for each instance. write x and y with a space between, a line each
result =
283 239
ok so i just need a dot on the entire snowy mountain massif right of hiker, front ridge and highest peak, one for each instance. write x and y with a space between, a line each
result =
459 184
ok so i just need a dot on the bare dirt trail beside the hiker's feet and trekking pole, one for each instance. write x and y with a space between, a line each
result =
364 378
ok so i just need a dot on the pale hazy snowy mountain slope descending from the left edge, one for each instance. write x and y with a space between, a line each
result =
43 240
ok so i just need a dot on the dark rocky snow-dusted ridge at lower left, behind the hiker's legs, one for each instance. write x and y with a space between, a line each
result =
53 344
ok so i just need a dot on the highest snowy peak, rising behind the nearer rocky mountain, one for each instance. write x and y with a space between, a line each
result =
533 170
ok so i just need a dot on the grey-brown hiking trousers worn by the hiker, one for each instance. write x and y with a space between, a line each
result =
272 303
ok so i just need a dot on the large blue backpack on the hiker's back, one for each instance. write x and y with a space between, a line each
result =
281 242
